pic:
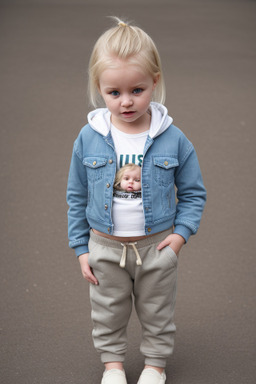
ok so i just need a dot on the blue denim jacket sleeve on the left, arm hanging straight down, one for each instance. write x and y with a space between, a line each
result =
78 227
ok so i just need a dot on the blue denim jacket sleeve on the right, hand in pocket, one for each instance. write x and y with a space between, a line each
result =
191 193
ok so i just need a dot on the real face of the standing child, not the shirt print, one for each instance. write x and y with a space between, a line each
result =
127 91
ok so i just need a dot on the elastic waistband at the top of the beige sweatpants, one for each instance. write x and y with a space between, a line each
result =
157 238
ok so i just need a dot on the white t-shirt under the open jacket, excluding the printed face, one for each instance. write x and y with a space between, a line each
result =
127 211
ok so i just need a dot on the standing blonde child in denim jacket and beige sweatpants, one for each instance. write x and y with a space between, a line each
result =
125 73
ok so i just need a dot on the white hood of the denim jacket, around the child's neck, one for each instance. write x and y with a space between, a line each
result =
99 120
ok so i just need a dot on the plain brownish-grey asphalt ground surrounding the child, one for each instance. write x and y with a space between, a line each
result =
208 52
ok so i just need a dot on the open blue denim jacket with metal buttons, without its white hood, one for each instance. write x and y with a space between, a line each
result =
169 161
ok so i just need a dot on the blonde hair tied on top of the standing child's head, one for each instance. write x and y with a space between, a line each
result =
125 42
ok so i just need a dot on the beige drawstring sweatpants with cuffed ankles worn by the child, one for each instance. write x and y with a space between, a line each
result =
153 285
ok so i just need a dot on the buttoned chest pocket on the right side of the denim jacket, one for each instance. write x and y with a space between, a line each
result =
164 168
